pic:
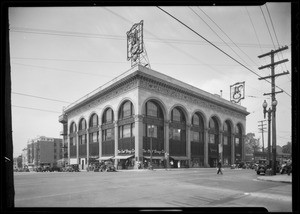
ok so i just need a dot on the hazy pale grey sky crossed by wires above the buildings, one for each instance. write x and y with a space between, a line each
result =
60 54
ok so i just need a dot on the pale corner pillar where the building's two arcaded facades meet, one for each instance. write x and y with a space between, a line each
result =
138 140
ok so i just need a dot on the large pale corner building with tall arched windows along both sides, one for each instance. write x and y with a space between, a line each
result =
190 127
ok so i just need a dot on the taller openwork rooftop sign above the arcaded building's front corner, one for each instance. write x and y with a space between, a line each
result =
135 43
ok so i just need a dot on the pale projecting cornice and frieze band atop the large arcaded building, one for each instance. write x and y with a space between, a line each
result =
148 79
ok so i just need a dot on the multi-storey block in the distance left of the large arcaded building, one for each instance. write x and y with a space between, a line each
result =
44 151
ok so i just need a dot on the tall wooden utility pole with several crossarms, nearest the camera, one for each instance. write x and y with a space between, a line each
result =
273 93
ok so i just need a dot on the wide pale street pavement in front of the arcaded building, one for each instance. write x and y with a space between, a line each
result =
153 188
